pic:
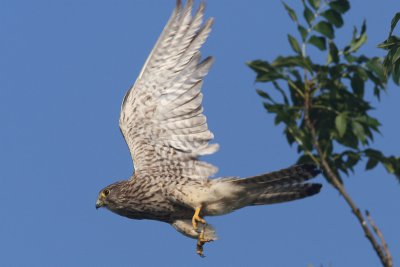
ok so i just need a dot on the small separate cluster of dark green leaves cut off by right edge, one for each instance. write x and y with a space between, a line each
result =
392 59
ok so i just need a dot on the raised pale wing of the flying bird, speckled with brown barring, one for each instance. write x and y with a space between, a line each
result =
162 117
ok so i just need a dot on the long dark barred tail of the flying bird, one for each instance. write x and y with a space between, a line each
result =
275 187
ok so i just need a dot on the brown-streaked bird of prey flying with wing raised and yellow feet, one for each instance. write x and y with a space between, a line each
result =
164 127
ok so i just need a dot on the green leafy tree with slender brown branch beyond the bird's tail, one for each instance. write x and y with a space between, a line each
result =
323 106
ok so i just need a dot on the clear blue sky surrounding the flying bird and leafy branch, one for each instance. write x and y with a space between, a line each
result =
64 68
